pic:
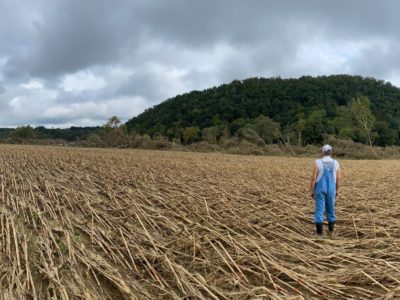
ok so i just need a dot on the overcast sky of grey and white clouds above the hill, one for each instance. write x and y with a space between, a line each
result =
78 62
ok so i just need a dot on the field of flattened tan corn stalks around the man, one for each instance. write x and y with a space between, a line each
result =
125 224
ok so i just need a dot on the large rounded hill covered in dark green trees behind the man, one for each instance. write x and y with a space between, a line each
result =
298 111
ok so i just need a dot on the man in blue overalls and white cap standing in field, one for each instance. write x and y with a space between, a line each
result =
324 188
